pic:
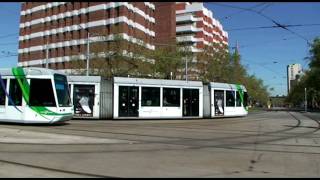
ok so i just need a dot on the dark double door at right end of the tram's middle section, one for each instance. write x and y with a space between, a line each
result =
190 102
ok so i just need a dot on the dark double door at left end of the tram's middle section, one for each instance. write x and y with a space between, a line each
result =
128 101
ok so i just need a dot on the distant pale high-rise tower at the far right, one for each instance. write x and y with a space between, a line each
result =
294 71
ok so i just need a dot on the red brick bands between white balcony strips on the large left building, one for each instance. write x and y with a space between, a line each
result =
80 34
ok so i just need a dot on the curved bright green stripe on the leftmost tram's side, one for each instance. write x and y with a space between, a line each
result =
25 87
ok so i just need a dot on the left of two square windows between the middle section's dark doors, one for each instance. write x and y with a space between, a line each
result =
150 96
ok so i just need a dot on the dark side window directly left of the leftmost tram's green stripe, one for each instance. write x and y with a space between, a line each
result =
15 93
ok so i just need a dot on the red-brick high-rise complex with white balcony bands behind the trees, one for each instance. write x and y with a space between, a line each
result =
55 33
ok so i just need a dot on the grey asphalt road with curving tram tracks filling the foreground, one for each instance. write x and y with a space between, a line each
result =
263 144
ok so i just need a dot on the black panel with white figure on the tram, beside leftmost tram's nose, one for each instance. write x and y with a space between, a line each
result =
83 100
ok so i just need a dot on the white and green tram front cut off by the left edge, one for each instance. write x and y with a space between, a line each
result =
34 95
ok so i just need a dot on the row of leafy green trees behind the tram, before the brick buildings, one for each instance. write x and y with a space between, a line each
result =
215 64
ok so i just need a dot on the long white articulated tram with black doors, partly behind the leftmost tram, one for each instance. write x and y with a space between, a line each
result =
139 98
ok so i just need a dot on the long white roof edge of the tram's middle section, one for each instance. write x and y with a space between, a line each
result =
166 82
